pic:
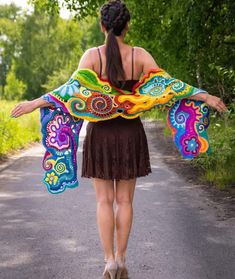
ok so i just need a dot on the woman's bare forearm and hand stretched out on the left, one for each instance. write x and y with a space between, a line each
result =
29 106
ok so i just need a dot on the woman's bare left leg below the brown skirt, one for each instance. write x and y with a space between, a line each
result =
105 216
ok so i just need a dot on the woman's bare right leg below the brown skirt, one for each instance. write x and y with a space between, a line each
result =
123 214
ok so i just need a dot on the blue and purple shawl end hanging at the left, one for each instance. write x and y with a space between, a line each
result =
60 138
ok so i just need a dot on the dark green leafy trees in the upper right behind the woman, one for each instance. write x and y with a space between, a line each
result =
189 39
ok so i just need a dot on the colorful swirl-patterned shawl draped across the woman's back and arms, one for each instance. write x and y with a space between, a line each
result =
86 96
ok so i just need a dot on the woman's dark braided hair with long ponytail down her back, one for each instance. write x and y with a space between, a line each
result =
114 17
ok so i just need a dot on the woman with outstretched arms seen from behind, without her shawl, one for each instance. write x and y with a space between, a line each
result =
115 151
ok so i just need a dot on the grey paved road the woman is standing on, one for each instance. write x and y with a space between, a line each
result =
176 231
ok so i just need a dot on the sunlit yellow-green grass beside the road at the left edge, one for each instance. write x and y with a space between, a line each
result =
16 133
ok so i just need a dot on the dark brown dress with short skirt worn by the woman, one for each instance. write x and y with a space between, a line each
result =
116 148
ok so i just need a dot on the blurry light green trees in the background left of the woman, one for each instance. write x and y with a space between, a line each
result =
46 49
